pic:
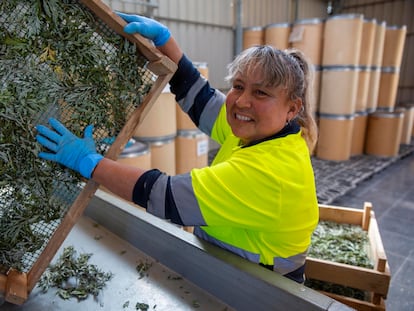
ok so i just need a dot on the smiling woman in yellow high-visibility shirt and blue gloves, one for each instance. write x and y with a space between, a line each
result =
258 197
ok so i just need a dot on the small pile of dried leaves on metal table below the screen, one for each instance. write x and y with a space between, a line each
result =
73 276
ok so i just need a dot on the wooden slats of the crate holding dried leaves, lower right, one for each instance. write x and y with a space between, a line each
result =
374 281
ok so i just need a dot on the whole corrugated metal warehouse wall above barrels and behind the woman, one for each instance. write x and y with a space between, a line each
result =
211 31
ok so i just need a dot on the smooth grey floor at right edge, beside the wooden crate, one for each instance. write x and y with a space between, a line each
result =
391 192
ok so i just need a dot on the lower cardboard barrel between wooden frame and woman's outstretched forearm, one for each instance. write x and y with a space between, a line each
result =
136 154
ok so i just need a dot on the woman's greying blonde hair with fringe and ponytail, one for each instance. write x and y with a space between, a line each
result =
288 68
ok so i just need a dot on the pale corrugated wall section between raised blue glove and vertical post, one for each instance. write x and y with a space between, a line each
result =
204 30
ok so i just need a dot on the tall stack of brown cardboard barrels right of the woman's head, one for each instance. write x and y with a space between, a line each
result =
357 63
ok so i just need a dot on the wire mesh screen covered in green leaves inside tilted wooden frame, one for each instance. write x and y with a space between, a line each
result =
57 60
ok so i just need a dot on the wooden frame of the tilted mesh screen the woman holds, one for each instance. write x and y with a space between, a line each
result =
16 286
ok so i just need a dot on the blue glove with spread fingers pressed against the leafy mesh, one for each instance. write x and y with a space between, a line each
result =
76 153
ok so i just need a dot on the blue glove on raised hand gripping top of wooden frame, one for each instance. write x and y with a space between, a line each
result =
146 27
